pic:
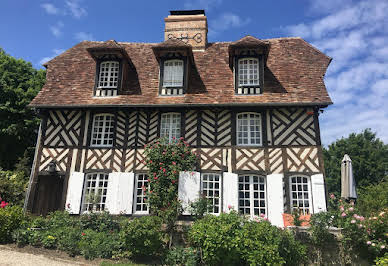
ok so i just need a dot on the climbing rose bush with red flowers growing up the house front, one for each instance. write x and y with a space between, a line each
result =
165 160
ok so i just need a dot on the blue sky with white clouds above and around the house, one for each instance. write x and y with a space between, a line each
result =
354 33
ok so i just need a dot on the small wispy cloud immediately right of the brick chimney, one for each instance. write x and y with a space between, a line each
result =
226 21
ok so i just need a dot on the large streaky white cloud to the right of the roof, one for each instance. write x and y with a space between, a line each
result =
355 34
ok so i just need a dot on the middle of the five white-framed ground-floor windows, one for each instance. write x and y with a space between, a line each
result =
208 189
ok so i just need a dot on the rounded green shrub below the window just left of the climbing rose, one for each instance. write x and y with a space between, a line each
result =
143 236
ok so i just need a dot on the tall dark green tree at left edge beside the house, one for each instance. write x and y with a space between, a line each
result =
19 84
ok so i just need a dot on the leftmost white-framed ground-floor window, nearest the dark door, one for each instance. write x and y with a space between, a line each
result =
100 177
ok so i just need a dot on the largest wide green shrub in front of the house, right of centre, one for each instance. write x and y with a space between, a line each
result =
231 239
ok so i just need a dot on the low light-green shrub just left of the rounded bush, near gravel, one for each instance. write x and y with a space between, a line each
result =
95 244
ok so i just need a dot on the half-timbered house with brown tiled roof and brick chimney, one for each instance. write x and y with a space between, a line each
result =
249 107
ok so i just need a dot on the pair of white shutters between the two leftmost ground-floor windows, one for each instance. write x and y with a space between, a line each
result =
119 197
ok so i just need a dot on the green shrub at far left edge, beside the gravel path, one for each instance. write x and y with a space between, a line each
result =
11 218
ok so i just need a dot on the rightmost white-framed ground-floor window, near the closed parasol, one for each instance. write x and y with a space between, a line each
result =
304 210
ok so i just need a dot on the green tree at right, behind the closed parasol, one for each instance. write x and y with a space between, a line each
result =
369 159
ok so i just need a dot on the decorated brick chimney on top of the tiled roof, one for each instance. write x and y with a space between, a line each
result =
190 26
